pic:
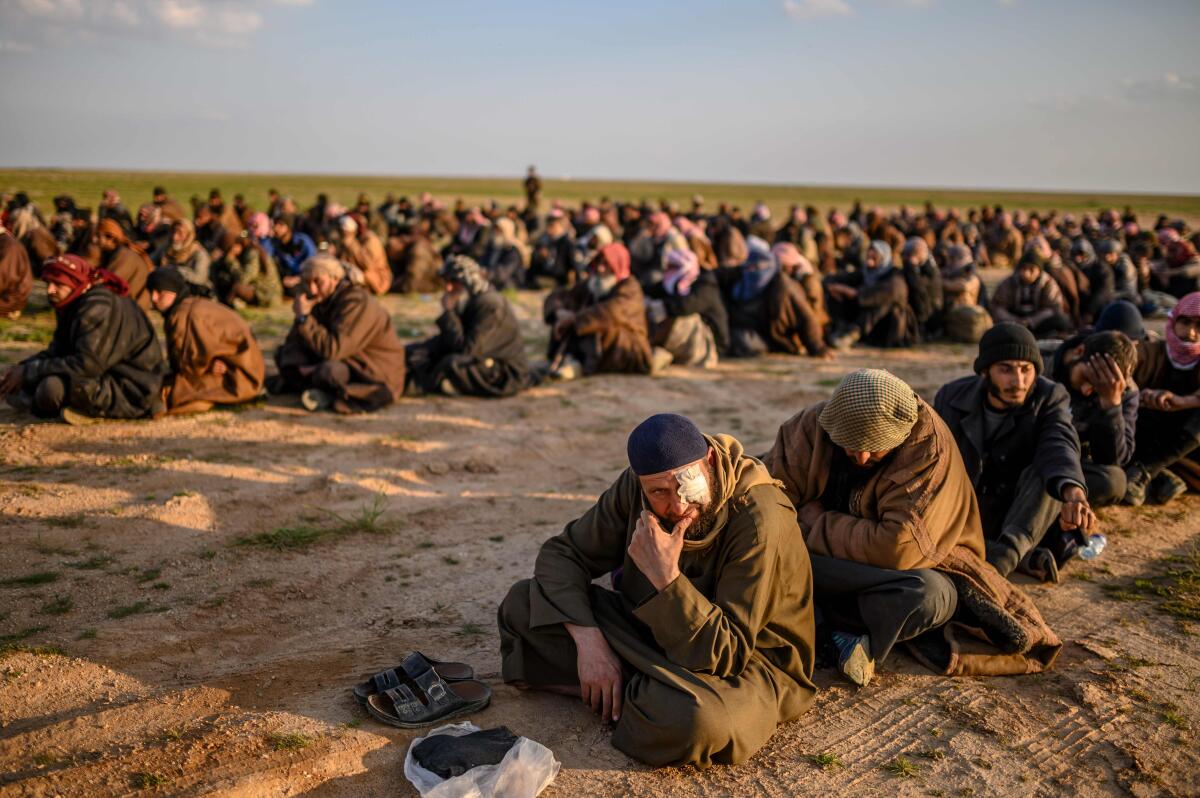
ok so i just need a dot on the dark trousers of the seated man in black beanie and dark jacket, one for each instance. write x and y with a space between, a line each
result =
1015 523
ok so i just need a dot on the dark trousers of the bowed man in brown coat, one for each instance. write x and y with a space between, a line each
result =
891 607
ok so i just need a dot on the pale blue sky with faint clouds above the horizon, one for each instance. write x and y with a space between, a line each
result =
1007 94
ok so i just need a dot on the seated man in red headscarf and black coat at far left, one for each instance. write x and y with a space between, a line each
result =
104 361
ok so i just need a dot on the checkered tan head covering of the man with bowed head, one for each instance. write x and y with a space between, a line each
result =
871 411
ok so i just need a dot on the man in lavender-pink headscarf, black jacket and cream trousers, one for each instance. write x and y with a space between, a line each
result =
688 319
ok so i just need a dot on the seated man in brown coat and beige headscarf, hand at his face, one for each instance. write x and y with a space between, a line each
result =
343 350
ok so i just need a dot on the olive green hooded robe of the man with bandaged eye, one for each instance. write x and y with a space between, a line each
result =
717 659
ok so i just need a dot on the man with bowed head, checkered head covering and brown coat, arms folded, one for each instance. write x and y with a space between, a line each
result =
893 527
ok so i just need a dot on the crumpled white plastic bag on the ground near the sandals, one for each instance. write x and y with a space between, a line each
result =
526 771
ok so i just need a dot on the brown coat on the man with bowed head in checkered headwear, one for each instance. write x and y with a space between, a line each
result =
920 511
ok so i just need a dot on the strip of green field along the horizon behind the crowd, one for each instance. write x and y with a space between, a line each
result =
135 188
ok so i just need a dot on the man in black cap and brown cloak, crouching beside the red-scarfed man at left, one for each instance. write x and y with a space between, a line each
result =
214 357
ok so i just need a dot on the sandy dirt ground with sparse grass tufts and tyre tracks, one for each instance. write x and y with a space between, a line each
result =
215 586
